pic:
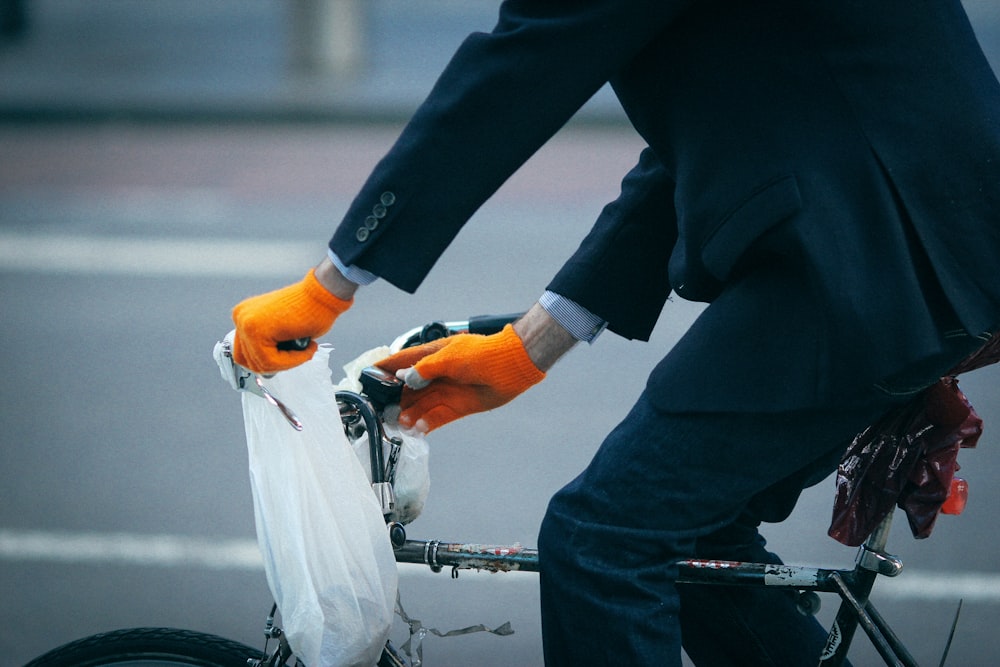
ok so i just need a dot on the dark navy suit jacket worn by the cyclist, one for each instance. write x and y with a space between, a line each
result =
815 170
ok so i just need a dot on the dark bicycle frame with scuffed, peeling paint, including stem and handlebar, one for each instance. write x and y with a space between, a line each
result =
362 413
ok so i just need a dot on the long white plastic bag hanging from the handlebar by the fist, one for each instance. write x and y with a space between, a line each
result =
327 555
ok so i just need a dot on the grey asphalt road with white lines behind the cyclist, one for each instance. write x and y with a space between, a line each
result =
123 467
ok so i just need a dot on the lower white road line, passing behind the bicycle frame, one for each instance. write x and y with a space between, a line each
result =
242 554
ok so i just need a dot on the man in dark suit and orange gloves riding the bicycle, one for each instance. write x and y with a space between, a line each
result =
826 175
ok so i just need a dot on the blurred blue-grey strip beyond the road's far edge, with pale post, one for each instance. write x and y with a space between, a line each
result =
367 60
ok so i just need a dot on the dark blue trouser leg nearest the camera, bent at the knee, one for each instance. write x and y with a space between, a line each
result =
660 485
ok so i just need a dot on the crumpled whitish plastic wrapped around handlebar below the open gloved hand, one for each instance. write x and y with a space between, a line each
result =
412 481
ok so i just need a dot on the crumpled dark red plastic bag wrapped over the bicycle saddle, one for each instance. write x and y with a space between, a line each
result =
908 458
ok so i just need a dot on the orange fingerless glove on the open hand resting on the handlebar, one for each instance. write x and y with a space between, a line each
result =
456 376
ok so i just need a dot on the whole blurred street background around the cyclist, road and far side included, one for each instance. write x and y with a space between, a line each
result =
160 161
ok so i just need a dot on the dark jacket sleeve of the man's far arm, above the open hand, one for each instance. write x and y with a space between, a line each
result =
619 272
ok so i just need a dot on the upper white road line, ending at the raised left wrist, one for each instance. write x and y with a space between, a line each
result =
151 256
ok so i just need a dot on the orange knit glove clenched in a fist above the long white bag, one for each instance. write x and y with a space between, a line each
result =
266 324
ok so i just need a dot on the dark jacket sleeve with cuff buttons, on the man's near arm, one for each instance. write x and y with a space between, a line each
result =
502 96
